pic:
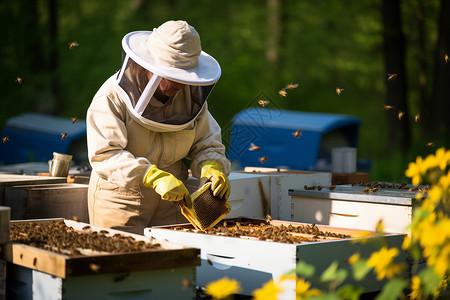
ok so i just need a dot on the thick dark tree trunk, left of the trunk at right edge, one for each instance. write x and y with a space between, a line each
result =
394 57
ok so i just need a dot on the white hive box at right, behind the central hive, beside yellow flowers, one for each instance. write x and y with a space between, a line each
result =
347 206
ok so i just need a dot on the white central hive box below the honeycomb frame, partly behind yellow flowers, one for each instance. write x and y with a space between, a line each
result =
253 262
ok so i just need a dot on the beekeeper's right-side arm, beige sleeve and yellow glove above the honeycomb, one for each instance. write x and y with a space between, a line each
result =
208 155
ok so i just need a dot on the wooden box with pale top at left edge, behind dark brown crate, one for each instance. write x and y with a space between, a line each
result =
14 179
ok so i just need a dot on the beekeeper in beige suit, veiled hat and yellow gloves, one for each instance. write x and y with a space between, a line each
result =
142 124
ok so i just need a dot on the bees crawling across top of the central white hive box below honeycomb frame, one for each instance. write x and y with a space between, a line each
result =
264 231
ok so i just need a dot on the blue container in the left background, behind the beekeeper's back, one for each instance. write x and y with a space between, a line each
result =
33 137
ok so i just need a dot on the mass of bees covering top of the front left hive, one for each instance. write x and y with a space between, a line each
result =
57 237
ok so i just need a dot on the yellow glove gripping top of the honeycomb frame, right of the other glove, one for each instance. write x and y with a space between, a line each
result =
212 171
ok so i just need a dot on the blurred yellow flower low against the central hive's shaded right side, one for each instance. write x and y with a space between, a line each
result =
382 262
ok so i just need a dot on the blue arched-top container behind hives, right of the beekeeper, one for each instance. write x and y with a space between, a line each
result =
274 132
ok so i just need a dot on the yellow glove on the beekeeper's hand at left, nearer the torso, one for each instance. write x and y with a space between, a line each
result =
165 184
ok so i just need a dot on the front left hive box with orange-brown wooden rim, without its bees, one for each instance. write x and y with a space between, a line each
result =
166 271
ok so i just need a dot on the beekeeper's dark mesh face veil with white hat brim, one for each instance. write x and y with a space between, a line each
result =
139 78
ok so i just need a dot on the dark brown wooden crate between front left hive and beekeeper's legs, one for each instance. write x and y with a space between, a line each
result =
65 200
